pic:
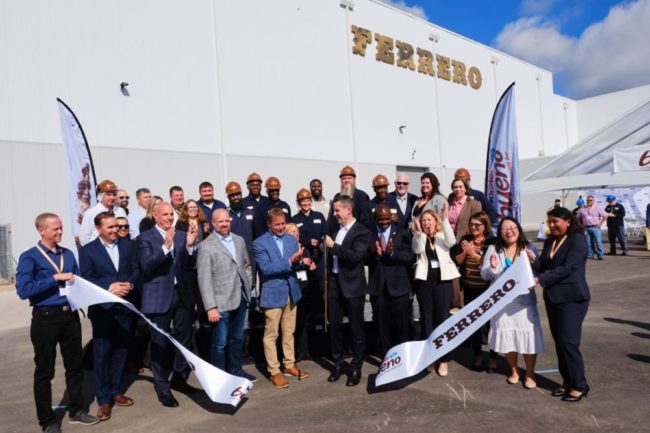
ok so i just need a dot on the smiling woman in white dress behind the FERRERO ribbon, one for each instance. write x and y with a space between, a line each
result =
517 328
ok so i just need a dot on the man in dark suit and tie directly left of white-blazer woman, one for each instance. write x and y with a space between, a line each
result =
389 281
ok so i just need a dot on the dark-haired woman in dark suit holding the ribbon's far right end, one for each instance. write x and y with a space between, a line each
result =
566 295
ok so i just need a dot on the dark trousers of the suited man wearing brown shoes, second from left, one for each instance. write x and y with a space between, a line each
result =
111 335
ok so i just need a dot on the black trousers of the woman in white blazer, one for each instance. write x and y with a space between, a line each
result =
434 300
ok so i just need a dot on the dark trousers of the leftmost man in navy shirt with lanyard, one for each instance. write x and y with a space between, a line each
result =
49 327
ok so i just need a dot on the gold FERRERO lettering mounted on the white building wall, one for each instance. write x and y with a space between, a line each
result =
404 55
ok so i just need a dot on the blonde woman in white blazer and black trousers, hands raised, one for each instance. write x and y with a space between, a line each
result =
434 270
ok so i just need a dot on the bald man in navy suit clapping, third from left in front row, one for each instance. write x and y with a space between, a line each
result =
163 253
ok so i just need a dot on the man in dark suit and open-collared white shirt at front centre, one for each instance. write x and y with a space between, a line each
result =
347 287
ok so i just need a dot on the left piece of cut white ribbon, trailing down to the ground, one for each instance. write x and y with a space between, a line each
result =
220 386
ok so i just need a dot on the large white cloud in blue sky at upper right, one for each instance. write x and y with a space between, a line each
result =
612 54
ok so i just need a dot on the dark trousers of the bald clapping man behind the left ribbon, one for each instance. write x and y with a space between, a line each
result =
163 359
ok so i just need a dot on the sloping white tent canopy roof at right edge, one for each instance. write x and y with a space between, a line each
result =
590 163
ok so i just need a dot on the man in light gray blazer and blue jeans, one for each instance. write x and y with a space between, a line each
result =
225 281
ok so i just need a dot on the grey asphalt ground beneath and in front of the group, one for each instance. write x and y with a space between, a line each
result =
616 347
